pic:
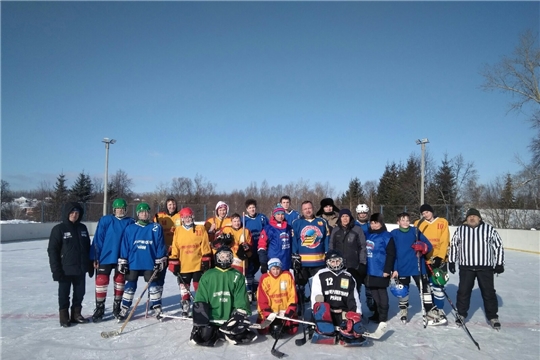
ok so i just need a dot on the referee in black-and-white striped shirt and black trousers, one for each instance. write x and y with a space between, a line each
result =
478 248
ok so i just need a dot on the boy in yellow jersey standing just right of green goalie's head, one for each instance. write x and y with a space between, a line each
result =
240 244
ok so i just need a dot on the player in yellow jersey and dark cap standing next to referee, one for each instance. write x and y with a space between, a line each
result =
436 230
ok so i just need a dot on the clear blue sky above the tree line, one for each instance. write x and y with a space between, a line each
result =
247 91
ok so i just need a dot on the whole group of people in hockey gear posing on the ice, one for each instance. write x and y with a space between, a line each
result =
320 258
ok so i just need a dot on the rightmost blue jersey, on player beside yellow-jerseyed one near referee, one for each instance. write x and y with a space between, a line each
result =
406 263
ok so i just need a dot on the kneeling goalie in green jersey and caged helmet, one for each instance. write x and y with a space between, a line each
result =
221 309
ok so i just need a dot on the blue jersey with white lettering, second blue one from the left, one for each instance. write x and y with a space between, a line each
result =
142 245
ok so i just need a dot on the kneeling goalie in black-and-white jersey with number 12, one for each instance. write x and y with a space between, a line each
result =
336 306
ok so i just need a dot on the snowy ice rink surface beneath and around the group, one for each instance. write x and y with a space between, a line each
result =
30 327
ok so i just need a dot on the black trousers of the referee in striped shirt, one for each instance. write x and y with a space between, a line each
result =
467 276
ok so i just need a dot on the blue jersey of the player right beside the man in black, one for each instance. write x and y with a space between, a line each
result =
107 239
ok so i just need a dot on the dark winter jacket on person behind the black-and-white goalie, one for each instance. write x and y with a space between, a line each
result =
351 242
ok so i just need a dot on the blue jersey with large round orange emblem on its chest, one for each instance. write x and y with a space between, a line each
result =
310 241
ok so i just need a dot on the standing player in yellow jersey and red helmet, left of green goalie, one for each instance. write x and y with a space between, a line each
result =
190 256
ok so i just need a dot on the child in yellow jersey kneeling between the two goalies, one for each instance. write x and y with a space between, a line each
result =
277 294
